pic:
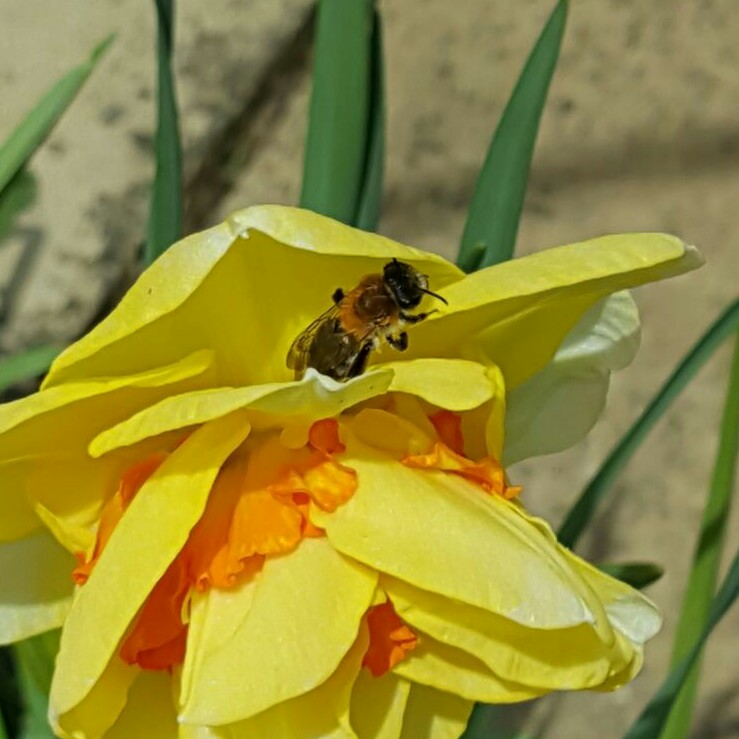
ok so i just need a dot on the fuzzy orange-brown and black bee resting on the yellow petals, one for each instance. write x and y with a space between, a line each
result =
340 341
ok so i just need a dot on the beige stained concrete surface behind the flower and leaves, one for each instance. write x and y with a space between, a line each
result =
641 132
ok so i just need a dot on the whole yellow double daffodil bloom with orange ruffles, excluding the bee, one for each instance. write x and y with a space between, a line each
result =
258 556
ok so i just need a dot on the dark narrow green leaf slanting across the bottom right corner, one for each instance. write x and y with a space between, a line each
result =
653 718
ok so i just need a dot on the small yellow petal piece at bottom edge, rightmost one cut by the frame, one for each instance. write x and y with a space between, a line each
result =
433 714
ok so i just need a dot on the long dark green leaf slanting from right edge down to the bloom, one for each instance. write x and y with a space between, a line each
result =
580 514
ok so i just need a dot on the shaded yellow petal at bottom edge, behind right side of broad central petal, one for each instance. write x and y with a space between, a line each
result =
322 713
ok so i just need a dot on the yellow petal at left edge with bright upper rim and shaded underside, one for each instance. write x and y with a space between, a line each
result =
43 439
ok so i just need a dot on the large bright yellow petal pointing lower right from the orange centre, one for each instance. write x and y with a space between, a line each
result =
445 535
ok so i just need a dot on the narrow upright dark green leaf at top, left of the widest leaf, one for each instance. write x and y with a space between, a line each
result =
165 216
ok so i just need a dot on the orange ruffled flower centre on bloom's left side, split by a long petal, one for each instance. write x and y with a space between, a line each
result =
258 507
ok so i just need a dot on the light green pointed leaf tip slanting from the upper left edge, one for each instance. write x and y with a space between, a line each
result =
37 125
